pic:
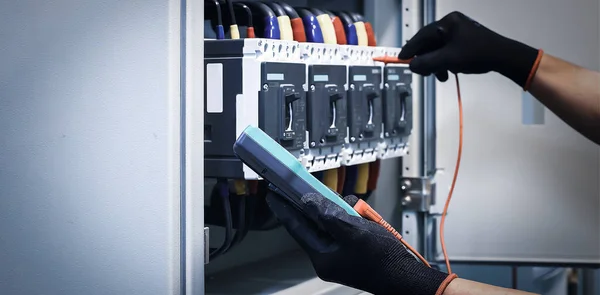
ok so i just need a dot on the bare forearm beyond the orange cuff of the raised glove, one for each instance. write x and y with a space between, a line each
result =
571 92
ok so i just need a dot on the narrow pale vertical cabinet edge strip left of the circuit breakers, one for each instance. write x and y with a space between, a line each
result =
194 148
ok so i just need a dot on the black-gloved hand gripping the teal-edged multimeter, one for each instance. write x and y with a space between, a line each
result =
353 251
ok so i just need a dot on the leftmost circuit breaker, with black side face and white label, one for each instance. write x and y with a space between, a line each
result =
256 82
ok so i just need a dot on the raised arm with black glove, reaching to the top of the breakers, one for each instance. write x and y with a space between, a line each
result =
458 44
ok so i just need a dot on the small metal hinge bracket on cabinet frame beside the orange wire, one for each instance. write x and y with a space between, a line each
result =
417 193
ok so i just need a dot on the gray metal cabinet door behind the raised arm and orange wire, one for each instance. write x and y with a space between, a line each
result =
528 189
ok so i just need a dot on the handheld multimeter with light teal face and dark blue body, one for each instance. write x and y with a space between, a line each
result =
281 169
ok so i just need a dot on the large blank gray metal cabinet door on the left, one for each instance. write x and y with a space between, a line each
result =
89 147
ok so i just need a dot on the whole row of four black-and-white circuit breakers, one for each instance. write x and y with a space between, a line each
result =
329 105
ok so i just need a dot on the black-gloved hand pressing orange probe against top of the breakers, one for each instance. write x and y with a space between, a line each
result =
458 44
